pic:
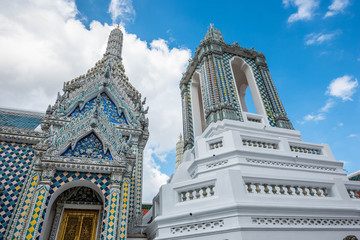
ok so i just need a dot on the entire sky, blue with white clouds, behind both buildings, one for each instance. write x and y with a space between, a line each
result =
312 49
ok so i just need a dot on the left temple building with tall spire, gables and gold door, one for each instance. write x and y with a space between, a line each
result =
76 171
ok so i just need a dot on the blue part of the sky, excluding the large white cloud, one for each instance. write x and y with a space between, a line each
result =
304 53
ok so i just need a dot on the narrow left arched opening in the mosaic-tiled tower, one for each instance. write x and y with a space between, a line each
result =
197 106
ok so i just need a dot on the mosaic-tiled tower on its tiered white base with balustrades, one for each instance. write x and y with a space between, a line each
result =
248 175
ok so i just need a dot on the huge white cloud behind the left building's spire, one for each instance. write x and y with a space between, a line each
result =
43 45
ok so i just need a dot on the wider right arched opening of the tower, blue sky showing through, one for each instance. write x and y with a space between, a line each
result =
248 93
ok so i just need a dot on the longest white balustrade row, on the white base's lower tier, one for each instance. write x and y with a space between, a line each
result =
286 189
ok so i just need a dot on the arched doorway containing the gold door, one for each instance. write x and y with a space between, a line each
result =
76 209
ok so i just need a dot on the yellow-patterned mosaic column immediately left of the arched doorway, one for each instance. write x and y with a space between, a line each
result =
38 205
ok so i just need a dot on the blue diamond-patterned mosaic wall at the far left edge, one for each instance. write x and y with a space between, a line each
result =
15 163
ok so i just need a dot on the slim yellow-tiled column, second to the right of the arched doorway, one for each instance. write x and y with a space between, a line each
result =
124 206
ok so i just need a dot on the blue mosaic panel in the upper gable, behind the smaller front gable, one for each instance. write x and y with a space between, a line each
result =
109 108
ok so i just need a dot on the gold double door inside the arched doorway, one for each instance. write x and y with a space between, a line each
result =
78 225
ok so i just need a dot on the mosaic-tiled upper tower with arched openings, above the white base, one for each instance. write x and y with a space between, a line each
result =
216 81
